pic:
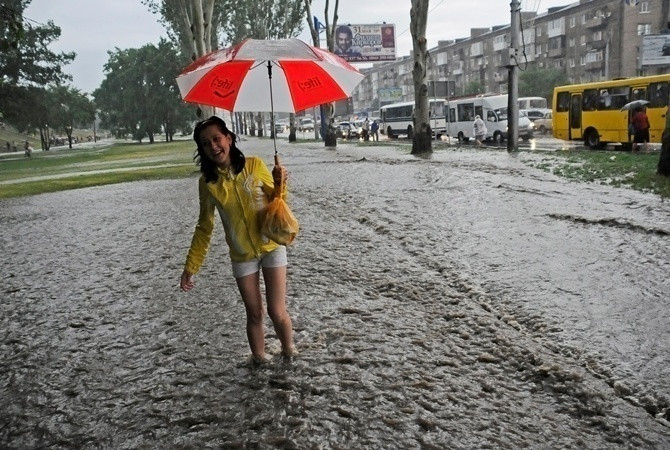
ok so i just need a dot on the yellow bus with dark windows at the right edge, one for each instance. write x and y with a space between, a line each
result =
592 112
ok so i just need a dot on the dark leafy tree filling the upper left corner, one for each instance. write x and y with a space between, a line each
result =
26 64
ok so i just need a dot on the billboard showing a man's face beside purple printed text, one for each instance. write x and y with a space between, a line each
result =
365 43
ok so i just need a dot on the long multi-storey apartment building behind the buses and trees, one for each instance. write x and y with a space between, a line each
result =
590 40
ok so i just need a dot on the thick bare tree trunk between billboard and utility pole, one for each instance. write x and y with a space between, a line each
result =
422 138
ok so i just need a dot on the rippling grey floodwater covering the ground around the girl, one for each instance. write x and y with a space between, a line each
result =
464 300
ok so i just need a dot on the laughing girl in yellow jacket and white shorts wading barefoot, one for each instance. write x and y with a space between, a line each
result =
239 188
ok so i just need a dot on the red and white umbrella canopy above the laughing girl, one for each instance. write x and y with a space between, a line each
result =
236 78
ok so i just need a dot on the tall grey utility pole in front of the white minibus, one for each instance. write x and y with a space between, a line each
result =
513 79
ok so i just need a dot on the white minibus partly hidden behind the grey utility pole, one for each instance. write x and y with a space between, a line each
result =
493 111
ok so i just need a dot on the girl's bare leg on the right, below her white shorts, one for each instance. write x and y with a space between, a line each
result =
275 291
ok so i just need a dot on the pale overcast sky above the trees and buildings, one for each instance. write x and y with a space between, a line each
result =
91 28
